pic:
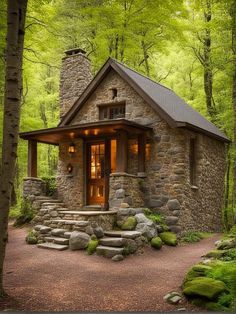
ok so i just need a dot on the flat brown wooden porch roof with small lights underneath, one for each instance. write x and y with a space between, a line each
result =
86 130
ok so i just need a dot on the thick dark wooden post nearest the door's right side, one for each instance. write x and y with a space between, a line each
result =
122 151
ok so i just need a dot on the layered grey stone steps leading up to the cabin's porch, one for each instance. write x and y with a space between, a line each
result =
55 223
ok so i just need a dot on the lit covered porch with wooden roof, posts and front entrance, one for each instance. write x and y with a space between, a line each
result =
99 154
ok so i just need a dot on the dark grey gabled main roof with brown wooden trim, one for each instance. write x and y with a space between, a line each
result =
170 107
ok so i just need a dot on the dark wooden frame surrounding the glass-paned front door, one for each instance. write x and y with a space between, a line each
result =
107 166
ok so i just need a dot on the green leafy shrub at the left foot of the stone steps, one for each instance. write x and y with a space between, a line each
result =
26 213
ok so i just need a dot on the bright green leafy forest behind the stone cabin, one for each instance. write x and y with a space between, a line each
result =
188 46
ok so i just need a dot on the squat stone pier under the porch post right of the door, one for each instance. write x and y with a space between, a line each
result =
125 188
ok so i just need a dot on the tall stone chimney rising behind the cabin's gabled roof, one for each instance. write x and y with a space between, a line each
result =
75 77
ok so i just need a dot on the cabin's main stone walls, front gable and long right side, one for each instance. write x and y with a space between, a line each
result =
166 187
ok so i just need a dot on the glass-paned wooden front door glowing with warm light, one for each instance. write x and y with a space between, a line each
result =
96 165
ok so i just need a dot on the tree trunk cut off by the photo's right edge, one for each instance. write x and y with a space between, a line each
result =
233 19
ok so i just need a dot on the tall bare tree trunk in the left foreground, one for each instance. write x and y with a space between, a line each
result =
16 12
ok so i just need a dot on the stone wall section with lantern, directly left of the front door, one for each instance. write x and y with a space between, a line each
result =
71 185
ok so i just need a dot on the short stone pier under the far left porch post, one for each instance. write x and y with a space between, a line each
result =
33 187
